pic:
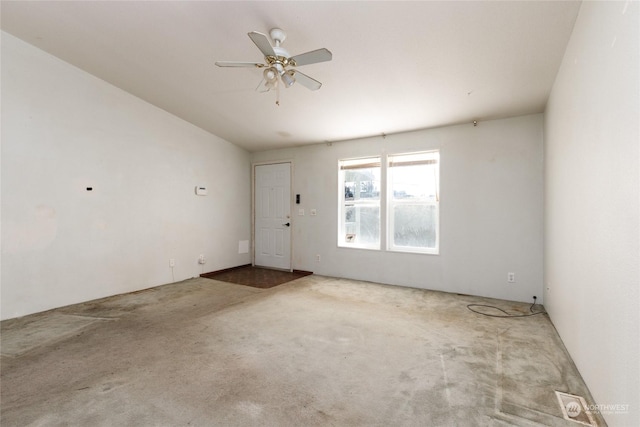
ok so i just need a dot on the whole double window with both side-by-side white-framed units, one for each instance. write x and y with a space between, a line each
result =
408 200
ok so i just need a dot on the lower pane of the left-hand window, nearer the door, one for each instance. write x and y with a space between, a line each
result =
362 224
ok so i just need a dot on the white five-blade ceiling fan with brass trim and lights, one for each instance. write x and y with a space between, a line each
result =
279 66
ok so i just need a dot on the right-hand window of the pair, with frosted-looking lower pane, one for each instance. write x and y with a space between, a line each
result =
413 202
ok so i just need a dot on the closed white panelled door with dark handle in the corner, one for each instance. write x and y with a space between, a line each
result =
272 201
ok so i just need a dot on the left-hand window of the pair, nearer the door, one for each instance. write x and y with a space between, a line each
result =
360 203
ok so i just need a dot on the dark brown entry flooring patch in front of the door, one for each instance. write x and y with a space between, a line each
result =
256 277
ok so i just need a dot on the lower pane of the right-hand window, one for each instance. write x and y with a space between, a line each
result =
414 225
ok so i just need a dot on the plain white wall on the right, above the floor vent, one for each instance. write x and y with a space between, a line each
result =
592 191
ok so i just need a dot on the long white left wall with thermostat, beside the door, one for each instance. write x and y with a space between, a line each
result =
64 130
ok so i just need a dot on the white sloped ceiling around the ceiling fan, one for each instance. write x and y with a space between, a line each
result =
397 66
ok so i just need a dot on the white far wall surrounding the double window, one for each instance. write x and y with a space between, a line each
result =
491 210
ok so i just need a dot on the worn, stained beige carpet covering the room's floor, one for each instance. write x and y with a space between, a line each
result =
316 351
